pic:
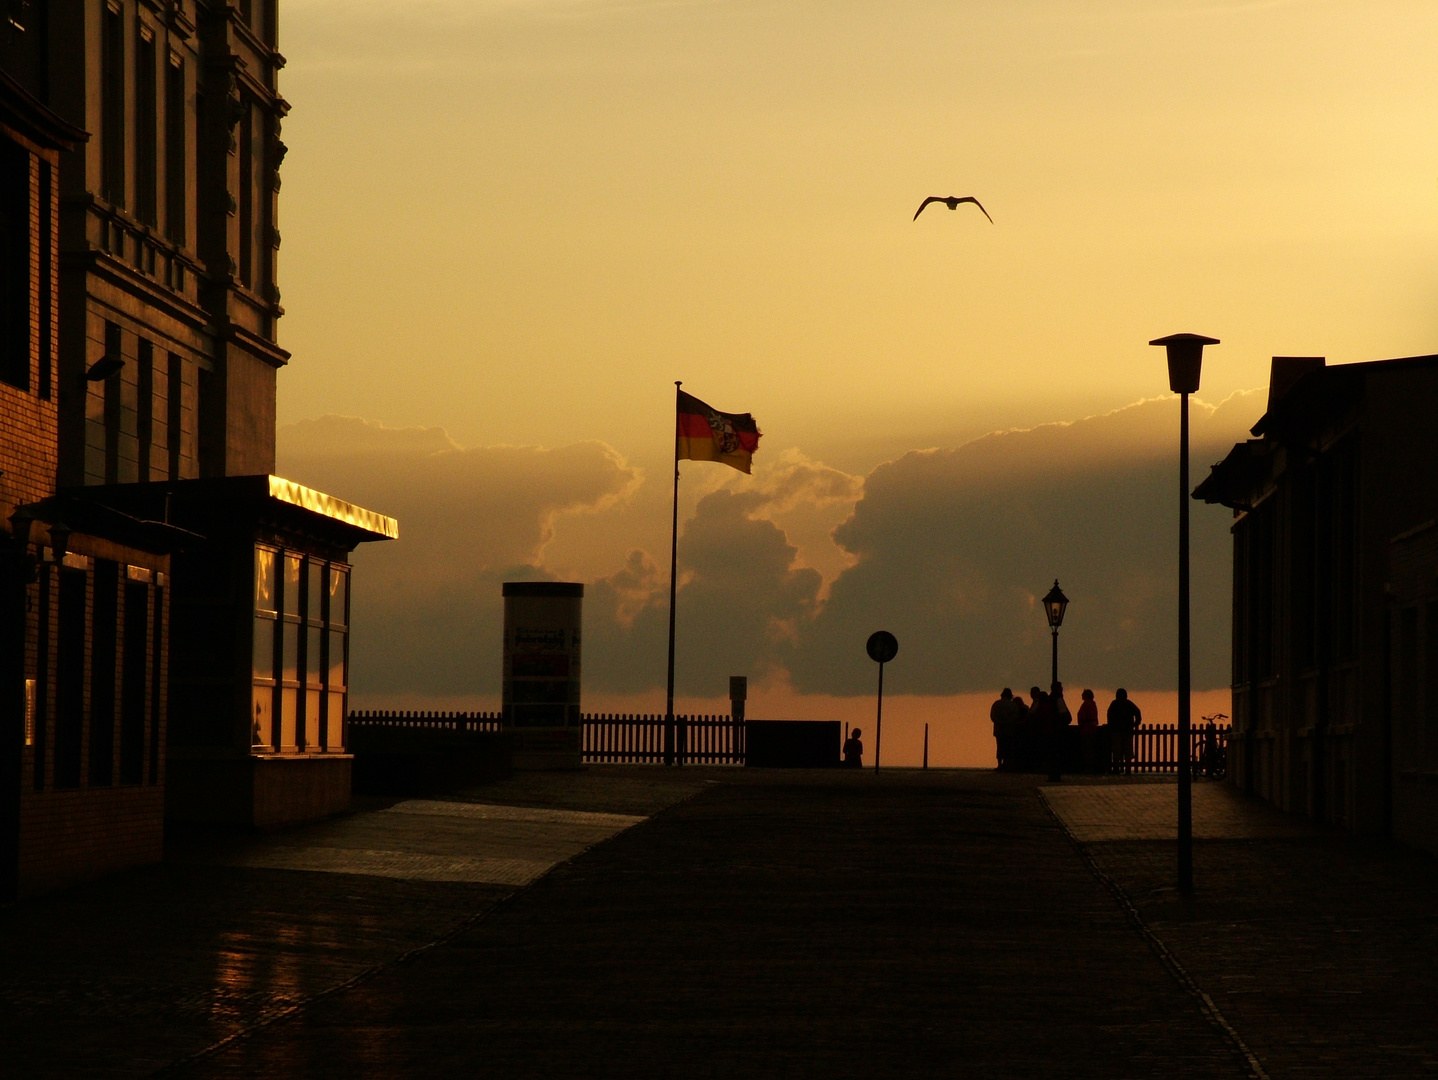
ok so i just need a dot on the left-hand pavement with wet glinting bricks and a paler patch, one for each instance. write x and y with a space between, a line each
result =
129 974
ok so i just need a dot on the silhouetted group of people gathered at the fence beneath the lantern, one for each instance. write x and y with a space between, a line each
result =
1033 734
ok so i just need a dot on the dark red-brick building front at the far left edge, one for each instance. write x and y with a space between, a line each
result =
84 592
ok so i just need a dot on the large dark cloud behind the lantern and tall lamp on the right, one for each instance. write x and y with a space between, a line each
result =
954 549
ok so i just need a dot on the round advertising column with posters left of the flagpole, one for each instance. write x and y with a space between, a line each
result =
541 678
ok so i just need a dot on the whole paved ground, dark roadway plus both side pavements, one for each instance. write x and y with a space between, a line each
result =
724 923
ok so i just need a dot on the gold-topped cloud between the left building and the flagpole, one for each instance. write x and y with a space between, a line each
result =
428 606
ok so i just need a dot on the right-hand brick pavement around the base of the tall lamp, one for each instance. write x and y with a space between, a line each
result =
1318 948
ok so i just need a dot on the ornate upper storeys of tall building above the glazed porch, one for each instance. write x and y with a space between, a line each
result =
169 238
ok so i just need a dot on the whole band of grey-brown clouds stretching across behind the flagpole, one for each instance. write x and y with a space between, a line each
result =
786 575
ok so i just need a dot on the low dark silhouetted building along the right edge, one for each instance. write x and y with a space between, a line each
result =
1335 648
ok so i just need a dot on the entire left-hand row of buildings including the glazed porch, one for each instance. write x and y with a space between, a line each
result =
139 366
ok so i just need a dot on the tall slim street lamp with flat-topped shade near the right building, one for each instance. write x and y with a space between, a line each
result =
1186 357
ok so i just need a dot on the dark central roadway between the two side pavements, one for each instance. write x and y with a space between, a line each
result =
782 925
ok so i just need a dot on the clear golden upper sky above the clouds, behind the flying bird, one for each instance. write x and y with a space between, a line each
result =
524 219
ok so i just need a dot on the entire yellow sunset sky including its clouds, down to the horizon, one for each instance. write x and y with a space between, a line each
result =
511 225
